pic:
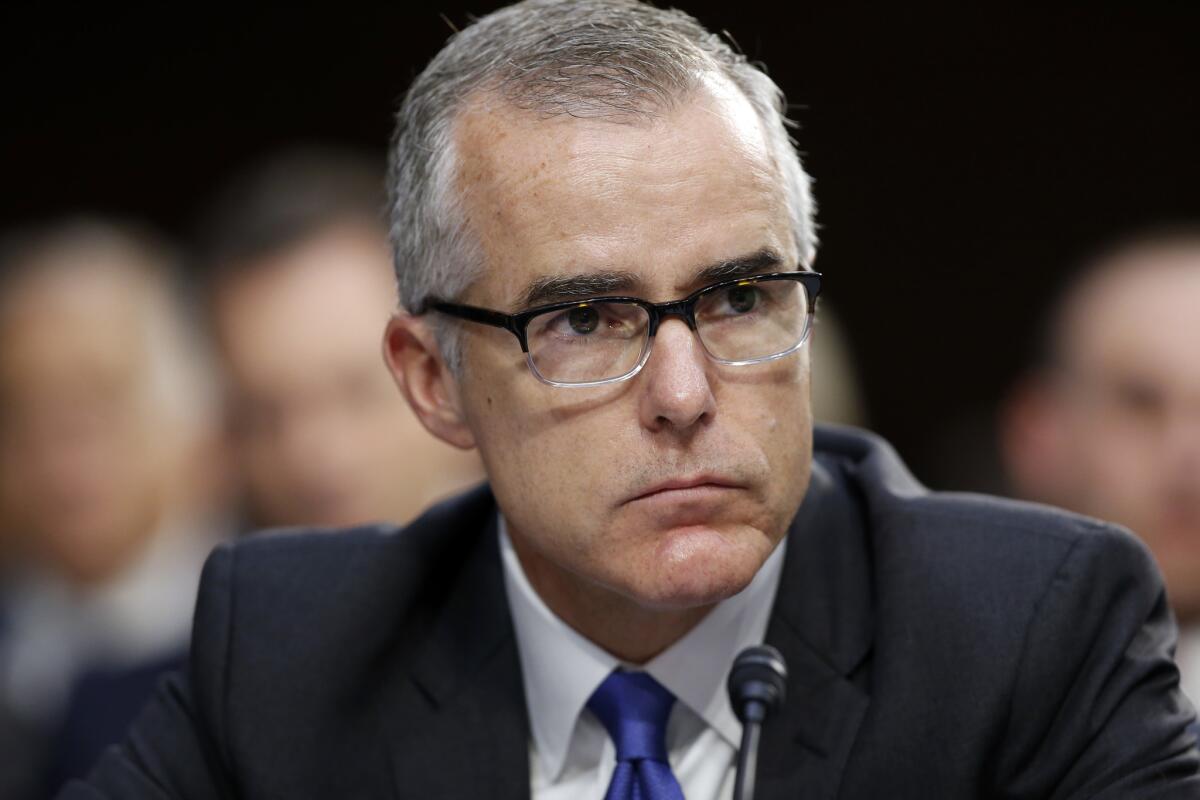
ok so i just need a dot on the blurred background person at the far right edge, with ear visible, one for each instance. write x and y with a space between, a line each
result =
1109 424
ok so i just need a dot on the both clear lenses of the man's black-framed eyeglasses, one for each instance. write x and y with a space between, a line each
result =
605 340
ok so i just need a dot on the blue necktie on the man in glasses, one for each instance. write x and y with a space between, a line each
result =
634 708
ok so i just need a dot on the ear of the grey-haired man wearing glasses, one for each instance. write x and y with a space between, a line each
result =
415 359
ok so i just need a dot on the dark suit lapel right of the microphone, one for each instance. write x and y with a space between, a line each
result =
823 625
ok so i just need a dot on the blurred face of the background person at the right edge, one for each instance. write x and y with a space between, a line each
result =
1131 408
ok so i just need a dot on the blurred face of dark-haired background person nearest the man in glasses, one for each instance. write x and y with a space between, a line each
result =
317 426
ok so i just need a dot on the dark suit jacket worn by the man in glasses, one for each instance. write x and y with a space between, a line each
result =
939 647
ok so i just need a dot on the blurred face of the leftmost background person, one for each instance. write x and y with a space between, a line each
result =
88 461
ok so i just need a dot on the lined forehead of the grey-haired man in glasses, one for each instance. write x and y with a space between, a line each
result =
692 185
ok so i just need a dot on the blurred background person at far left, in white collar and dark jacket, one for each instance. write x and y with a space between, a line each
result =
107 484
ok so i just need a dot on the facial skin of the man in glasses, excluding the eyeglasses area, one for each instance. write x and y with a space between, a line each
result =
585 476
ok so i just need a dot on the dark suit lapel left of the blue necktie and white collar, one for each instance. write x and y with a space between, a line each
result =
458 726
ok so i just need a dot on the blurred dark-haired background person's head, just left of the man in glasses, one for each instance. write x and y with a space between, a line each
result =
301 287
